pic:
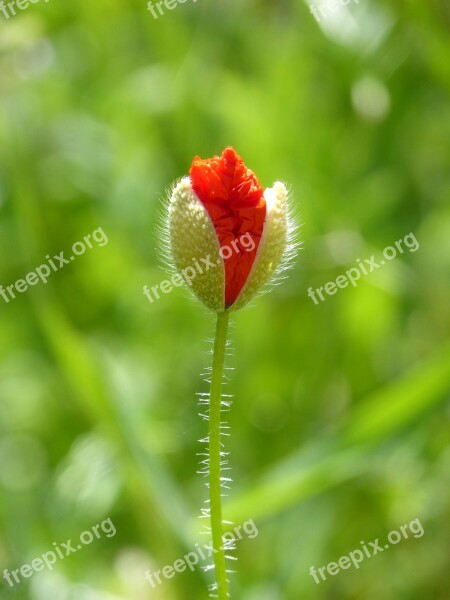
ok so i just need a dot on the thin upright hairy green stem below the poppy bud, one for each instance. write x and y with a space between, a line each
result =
215 448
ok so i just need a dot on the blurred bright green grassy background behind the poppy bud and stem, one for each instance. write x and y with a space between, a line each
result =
340 422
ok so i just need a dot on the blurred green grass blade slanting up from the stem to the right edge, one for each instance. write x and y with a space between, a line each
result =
343 456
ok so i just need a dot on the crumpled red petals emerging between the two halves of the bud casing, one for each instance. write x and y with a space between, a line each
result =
234 199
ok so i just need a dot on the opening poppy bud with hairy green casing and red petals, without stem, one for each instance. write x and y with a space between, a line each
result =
227 236
